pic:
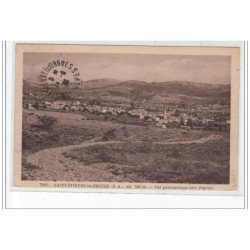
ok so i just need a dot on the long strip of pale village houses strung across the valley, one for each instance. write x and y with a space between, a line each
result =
164 119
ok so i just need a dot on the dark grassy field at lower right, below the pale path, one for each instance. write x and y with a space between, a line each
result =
147 162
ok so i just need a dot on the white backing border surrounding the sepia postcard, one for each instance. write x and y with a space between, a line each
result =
93 198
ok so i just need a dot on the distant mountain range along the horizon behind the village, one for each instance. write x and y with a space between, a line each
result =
114 91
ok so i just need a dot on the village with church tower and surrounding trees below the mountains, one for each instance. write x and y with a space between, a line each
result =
209 117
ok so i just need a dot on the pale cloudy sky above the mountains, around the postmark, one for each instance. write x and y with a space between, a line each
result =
142 67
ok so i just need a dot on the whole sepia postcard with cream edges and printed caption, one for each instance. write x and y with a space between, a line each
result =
126 117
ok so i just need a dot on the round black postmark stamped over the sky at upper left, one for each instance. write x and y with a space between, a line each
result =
60 73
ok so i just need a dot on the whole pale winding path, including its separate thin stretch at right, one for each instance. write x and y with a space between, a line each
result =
51 165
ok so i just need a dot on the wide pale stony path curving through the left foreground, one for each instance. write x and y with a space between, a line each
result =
53 166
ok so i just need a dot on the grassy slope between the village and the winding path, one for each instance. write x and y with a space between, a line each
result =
74 128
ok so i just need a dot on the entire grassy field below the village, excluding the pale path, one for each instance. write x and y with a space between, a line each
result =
137 158
